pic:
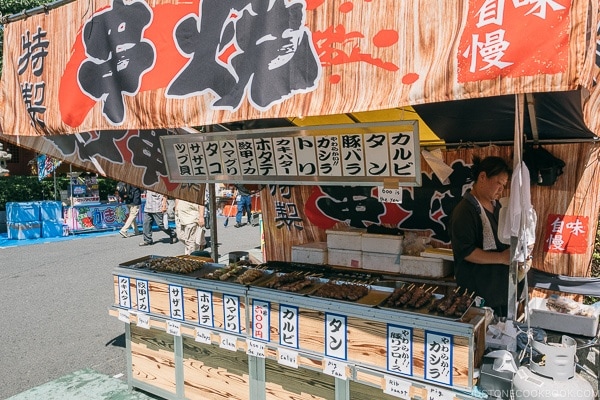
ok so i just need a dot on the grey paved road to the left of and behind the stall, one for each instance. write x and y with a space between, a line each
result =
54 301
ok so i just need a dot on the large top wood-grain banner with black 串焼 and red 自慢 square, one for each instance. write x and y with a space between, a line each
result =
66 71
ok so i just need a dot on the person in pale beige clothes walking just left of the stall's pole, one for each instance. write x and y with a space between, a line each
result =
189 222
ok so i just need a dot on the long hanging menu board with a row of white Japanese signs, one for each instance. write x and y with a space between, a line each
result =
356 154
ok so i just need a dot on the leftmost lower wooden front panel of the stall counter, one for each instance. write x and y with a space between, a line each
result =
153 358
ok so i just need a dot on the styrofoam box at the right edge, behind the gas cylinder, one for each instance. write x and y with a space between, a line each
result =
541 317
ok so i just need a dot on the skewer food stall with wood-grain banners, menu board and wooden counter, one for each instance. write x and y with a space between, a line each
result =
329 67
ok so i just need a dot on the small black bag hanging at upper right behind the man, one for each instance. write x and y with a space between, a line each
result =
544 168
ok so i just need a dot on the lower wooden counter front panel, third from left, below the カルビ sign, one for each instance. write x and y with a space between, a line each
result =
292 384
